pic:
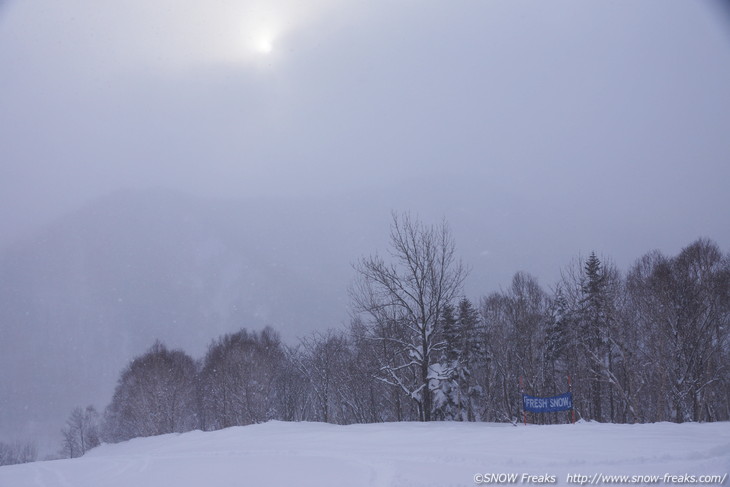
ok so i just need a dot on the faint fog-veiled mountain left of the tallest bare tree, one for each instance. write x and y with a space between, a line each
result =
97 287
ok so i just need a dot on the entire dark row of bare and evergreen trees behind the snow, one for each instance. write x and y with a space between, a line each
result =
647 345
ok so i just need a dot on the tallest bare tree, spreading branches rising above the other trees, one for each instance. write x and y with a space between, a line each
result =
401 302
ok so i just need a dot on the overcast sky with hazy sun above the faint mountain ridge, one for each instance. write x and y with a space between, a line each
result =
620 106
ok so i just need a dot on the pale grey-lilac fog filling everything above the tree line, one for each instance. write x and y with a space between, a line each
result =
273 138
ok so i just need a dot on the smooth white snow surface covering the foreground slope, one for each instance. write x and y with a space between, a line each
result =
391 454
